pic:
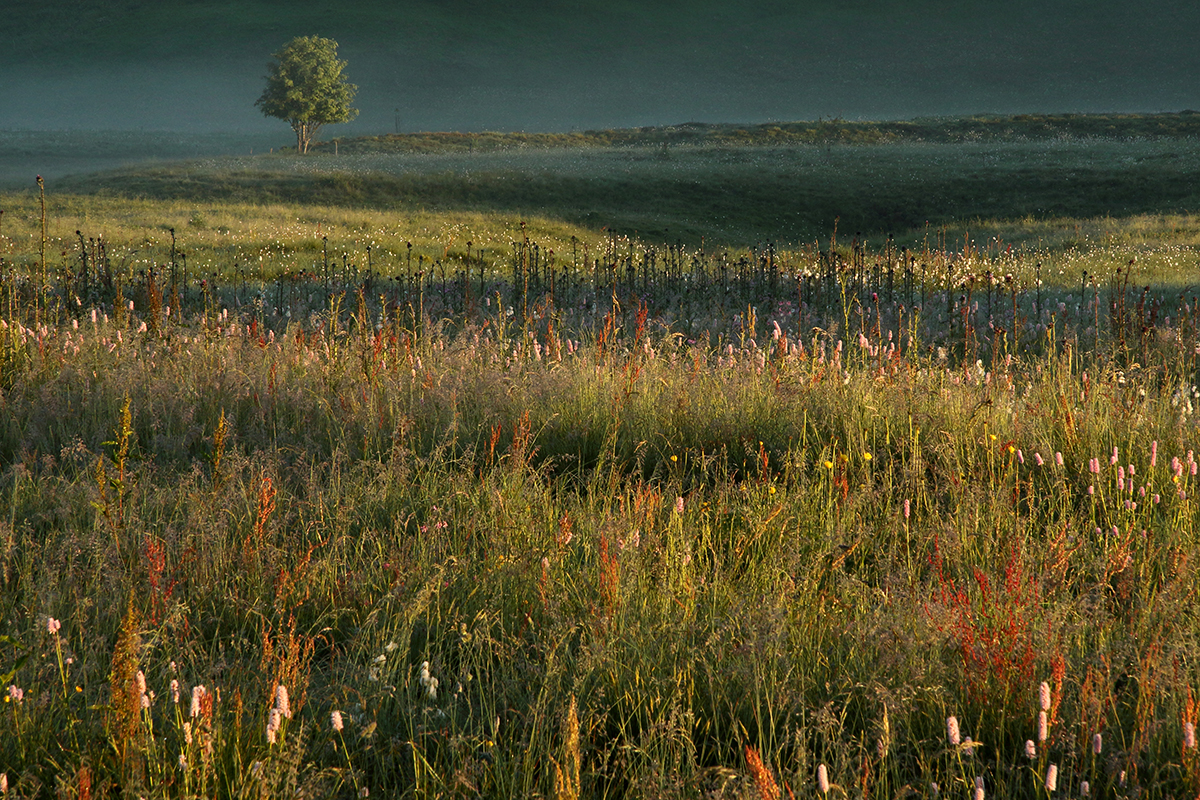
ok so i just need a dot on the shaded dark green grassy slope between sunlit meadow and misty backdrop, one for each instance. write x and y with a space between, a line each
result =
728 195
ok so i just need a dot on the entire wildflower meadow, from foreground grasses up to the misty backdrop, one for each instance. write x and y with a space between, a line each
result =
313 492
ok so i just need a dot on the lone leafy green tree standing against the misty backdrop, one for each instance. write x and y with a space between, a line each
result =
307 88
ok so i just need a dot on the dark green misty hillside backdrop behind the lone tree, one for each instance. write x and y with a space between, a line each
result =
197 67
